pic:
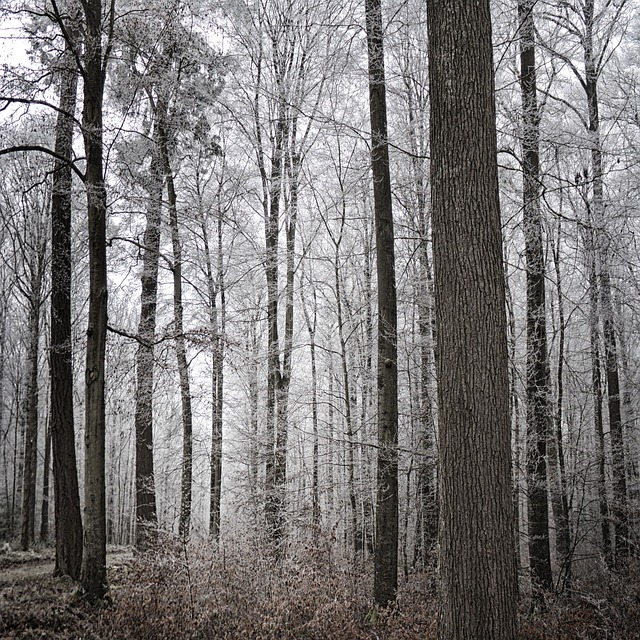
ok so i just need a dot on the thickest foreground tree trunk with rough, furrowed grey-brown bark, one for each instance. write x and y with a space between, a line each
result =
478 591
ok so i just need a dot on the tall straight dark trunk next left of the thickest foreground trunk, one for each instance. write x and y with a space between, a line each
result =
386 550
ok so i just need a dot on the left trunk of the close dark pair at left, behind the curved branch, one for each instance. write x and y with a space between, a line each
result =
68 519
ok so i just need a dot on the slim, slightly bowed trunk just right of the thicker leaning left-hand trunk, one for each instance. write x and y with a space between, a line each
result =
181 349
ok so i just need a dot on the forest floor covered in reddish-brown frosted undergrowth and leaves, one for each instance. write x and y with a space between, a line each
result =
192 591
